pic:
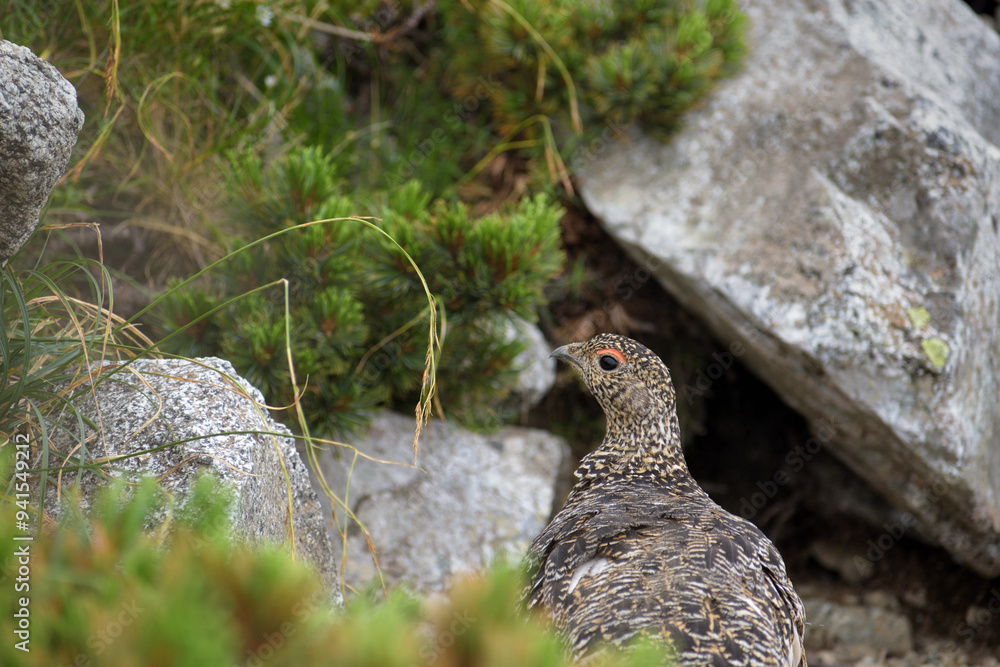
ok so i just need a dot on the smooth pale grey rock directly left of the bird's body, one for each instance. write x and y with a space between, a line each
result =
469 498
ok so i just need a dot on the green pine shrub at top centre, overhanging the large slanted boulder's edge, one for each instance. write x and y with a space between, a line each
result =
592 64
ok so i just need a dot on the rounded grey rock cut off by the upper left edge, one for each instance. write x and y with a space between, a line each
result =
39 122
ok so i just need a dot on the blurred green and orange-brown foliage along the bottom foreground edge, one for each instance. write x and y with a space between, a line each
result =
144 579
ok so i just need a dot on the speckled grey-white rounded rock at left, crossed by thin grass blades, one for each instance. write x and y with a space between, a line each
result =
221 426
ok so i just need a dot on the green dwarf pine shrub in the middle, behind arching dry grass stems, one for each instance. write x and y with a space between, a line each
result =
357 309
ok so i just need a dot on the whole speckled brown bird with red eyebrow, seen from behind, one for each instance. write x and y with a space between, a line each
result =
640 549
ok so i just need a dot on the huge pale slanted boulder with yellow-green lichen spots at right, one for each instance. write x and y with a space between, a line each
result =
833 214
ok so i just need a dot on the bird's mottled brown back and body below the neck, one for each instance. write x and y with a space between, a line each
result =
622 560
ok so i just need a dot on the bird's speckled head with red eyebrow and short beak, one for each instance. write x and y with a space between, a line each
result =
630 382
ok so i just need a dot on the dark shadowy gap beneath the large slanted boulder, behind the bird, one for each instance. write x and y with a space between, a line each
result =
749 451
